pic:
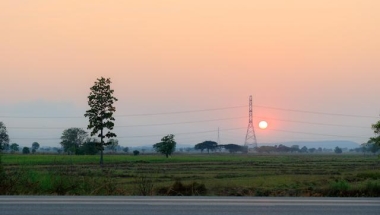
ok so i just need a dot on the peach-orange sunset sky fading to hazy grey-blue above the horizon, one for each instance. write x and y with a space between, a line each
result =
188 67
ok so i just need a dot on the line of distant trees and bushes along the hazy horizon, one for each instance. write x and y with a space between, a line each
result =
76 141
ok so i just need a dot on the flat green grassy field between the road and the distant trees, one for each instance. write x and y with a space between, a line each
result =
214 174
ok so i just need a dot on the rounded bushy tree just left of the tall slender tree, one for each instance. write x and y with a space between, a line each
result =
72 139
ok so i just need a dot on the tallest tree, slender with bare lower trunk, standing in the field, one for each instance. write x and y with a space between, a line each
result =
101 111
